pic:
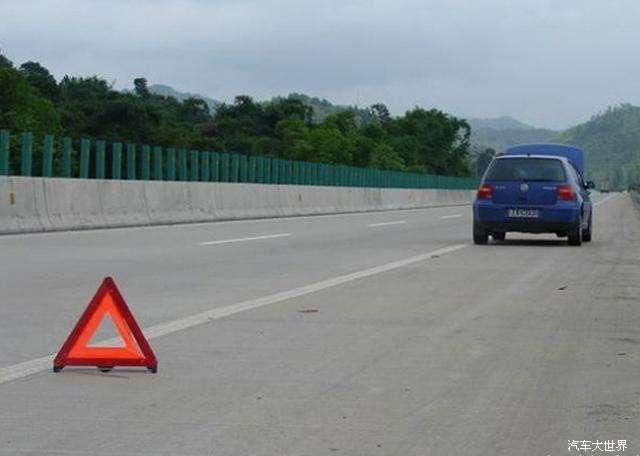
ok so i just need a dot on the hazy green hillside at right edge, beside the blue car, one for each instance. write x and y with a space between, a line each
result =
611 141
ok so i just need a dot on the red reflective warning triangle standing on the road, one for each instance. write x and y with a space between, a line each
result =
132 350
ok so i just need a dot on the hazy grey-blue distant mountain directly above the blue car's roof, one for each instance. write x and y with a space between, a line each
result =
503 132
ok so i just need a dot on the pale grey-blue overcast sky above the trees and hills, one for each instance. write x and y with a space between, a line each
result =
551 63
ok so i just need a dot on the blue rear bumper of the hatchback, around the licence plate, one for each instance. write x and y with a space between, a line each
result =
552 219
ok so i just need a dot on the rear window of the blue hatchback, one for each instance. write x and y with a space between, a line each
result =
531 169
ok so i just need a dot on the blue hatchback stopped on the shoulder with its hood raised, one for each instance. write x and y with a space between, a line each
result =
534 188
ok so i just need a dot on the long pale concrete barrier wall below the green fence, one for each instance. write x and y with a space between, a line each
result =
29 204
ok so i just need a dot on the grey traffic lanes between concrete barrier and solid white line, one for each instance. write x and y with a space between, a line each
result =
167 272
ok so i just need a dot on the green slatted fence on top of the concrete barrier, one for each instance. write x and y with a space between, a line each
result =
91 159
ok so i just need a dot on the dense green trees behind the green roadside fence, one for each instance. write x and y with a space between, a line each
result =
291 127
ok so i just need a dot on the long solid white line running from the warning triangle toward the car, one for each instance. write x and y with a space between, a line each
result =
34 366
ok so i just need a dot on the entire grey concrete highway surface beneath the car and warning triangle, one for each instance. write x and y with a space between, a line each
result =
369 334
